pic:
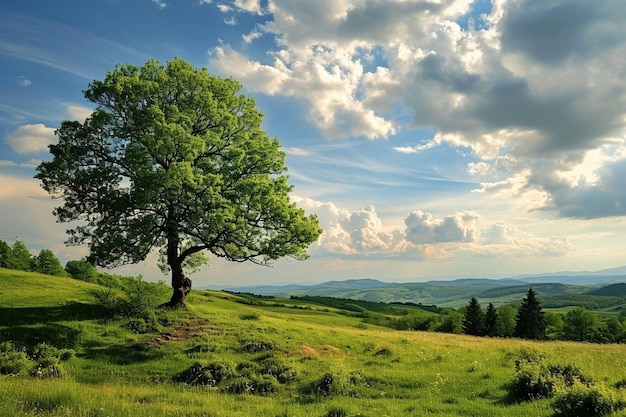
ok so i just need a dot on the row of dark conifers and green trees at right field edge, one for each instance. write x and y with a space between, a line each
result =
530 322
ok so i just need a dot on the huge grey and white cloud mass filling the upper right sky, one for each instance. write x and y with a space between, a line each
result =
540 84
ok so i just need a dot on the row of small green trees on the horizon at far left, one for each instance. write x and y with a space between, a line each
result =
19 257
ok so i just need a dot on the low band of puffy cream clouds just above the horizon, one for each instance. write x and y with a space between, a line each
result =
362 233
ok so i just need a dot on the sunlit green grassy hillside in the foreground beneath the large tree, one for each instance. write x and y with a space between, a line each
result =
239 355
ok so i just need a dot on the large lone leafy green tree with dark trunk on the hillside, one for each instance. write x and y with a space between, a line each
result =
174 159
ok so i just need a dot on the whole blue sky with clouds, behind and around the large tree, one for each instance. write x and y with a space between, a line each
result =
434 139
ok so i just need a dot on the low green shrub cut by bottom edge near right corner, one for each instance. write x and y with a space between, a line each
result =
584 401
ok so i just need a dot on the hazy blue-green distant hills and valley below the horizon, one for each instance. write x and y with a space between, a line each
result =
555 289
